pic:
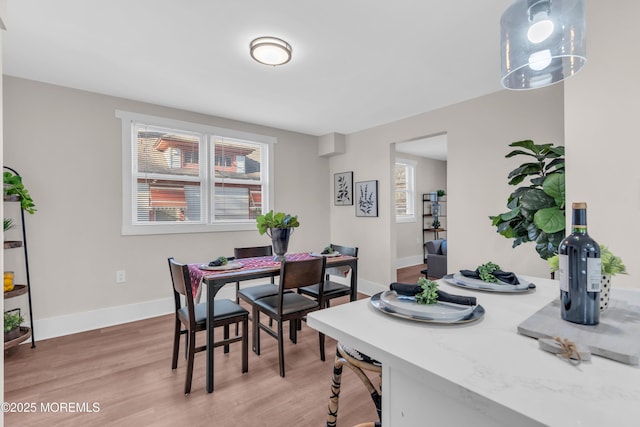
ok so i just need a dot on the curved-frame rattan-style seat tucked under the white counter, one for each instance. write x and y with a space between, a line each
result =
358 363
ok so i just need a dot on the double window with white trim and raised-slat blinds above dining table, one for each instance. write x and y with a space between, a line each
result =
184 177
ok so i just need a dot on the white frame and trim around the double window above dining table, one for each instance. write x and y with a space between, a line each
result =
129 180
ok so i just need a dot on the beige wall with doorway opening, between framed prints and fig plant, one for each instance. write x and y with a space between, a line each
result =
478 134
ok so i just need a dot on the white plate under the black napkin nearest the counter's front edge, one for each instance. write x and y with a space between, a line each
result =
408 306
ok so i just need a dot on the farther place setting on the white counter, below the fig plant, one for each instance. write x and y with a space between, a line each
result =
491 278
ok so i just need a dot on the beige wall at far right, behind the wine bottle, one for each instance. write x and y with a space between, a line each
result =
601 111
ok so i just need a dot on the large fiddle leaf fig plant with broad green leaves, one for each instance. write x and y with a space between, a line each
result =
537 209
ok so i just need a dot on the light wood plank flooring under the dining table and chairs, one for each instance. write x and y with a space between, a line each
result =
125 371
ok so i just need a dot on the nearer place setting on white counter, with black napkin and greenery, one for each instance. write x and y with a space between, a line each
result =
424 302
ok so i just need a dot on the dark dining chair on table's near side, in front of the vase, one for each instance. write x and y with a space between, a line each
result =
290 306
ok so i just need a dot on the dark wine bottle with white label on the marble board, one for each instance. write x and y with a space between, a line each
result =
580 272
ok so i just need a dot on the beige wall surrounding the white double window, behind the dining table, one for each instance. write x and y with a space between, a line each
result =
67 145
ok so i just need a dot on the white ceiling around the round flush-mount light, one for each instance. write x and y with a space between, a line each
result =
356 63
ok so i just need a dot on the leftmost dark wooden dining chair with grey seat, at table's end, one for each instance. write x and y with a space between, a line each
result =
194 319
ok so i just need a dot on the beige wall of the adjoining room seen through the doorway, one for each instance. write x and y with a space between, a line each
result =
431 175
